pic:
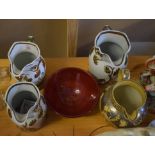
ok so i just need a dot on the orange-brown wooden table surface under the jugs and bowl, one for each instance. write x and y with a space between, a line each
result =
90 124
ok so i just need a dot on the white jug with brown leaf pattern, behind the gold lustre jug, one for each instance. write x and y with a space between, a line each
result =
110 53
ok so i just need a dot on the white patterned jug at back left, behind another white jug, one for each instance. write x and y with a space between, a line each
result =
26 63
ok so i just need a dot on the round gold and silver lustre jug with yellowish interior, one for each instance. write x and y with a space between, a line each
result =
124 103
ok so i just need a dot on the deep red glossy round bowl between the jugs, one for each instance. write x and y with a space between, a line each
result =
72 92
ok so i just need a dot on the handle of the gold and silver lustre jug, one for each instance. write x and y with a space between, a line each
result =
123 74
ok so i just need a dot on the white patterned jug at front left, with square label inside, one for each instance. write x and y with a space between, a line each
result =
25 106
